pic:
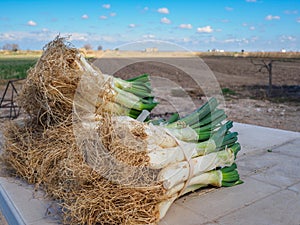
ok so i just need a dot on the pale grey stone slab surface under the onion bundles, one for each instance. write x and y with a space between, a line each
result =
270 194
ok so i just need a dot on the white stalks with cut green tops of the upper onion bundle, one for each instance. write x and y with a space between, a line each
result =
112 89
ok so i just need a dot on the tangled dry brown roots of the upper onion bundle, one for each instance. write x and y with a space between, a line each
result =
51 84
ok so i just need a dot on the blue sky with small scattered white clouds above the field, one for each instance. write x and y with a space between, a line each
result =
253 25
